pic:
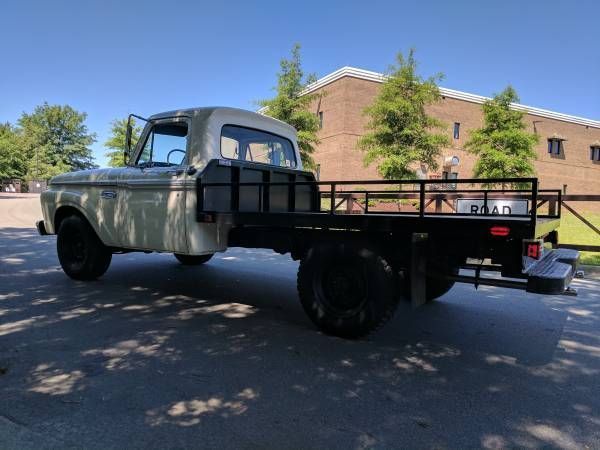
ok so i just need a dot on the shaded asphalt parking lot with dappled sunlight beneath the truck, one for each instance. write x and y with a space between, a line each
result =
222 356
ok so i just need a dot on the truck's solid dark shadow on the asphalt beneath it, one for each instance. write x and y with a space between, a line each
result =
492 320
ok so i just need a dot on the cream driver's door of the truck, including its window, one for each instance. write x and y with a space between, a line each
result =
152 204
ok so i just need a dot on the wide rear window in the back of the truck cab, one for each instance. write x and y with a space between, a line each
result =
247 144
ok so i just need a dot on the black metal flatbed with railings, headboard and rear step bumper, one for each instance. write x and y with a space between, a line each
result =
428 247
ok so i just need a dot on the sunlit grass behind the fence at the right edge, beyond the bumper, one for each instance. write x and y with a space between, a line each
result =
574 231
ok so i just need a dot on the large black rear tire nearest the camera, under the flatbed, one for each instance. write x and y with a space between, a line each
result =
347 290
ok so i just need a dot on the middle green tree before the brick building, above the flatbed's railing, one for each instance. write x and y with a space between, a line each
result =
400 135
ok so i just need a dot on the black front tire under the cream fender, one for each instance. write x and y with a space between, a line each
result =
81 254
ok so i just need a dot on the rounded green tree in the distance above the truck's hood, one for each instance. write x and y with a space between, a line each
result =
55 140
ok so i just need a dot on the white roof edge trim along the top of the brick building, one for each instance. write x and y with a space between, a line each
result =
474 98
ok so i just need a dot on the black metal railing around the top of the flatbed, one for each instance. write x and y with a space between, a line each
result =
425 193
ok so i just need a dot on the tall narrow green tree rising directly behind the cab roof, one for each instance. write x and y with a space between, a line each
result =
291 107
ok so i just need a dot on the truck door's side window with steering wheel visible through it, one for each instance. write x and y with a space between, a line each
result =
165 145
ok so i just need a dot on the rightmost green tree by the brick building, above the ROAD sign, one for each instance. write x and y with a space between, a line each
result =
503 147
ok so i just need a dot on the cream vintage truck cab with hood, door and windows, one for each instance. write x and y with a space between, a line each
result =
150 204
